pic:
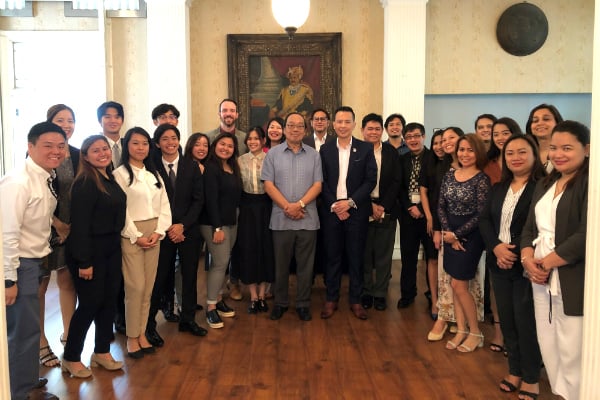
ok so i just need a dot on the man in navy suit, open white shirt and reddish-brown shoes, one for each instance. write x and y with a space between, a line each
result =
349 176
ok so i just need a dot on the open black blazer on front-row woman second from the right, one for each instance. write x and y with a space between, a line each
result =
489 222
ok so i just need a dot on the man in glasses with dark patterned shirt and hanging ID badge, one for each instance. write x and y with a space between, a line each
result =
413 224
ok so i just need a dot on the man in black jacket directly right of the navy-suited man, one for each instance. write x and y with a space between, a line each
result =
382 222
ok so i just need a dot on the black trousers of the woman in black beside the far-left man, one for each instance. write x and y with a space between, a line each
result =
97 298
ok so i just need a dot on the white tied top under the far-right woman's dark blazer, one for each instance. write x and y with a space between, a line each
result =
545 219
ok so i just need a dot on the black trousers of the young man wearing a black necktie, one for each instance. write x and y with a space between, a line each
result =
189 255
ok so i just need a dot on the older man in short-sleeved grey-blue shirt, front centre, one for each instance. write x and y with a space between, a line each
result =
292 175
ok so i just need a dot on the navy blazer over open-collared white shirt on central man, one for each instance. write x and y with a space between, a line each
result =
360 180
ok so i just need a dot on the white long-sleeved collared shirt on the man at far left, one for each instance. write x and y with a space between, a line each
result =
27 207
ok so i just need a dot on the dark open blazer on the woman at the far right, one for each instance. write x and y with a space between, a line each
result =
569 238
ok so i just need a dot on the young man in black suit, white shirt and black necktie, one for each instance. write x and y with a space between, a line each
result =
183 183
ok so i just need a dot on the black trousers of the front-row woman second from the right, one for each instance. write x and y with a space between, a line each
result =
517 320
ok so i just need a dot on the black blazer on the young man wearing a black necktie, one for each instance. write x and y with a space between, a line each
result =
187 198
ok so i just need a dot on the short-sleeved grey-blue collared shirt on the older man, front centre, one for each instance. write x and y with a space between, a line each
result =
293 174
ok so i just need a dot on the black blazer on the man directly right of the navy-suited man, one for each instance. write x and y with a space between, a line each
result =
389 179
